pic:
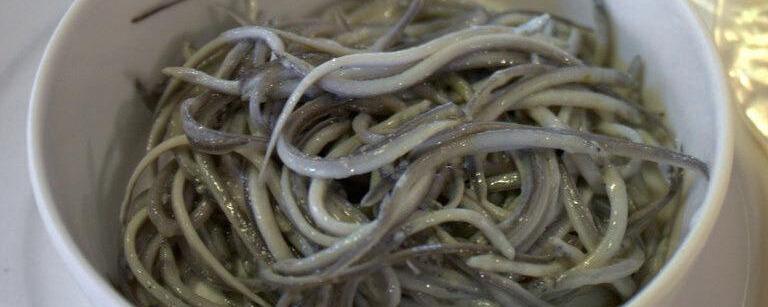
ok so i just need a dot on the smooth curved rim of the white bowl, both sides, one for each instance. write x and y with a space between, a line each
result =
98 289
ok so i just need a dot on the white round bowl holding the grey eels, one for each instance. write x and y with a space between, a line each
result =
87 129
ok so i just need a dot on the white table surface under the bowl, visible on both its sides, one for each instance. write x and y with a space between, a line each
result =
32 274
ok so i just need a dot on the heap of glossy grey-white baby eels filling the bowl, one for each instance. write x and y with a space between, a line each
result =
428 153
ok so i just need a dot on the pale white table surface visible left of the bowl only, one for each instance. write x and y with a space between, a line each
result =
27 258
